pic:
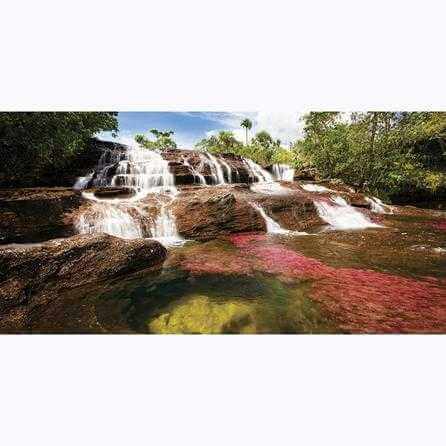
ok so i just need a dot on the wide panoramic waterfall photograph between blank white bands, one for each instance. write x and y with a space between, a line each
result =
207 222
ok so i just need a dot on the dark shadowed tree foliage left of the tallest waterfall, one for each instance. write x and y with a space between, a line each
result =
33 143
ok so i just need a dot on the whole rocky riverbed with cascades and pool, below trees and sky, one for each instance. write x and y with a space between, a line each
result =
244 251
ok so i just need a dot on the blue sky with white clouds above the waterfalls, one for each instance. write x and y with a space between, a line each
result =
190 127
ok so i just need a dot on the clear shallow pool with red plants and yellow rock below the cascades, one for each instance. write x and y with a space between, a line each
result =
373 281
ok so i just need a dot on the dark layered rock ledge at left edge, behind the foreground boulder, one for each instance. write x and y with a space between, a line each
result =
36 214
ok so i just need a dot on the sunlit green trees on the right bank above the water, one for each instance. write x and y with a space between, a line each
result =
384 152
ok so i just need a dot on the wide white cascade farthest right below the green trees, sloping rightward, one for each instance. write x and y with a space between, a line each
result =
340 215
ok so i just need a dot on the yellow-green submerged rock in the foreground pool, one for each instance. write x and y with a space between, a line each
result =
198 314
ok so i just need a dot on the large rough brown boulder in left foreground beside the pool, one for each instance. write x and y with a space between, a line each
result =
33 274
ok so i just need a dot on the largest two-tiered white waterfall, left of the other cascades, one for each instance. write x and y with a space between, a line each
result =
144 171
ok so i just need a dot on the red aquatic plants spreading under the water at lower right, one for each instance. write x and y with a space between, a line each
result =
360 300
